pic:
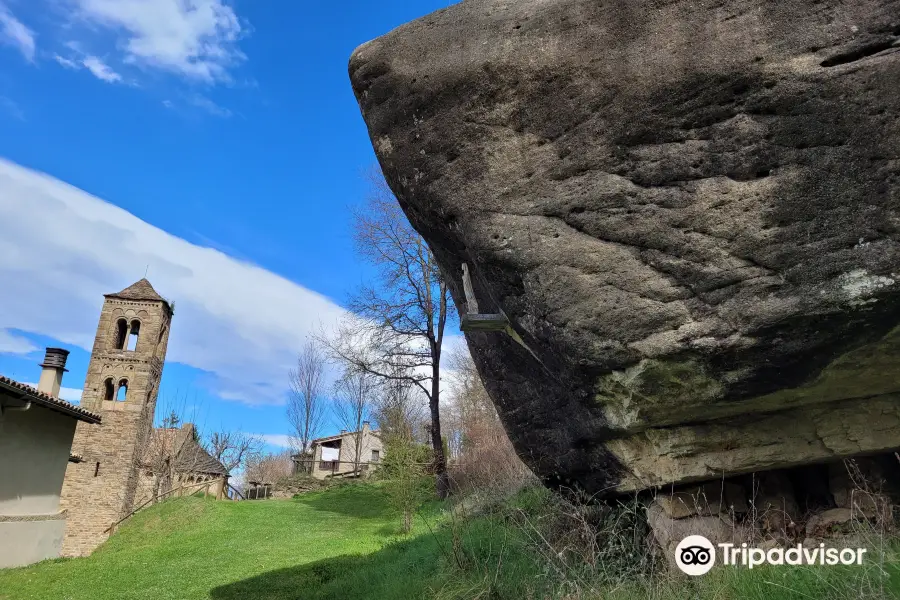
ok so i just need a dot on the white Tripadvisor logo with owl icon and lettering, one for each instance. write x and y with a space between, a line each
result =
696 555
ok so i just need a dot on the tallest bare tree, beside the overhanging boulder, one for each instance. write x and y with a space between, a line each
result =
397 329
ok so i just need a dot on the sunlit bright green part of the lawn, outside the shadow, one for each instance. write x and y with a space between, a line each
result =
194 548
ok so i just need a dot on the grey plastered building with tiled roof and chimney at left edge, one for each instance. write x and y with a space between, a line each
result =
36 432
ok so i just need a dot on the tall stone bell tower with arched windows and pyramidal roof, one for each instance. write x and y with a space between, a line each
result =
121 385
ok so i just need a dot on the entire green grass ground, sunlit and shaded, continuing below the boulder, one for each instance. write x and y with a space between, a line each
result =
343 544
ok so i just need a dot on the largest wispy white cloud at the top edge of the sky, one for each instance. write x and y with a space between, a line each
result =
196 39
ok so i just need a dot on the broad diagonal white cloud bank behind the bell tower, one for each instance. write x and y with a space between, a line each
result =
61 249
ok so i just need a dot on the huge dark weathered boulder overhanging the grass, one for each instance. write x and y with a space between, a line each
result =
688 210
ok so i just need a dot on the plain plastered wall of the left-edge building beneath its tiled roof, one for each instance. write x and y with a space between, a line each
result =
34 453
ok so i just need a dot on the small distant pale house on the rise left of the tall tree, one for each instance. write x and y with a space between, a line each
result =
336 456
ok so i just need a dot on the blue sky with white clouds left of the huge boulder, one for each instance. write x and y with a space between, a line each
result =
218 143
